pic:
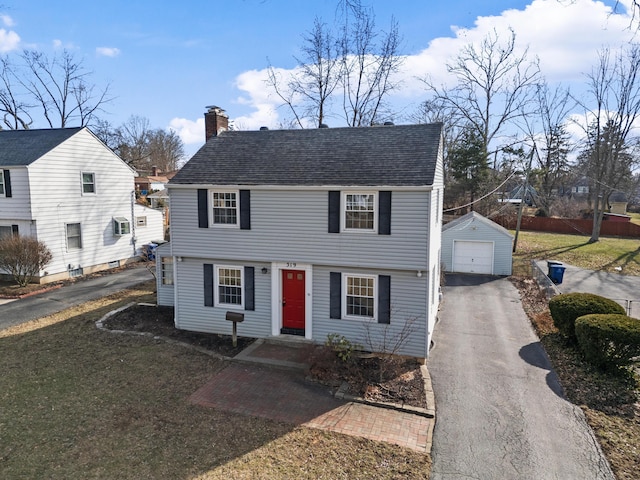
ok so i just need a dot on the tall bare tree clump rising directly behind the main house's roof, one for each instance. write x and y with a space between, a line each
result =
357 62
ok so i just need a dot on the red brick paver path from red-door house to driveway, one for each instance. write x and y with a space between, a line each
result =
285 396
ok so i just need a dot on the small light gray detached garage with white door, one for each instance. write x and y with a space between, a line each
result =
475 244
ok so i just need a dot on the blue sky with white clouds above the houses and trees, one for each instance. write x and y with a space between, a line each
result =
167 60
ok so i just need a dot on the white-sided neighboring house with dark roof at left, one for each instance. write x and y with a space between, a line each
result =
71 192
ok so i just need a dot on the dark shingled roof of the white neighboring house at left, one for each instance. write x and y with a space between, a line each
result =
23 147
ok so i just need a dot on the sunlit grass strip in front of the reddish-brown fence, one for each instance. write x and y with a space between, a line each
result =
608 254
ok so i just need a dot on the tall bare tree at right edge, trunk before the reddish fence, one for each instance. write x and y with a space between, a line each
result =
614 92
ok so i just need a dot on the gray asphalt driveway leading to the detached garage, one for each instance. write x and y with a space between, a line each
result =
500 409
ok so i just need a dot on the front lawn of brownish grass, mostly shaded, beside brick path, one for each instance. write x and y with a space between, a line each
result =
81 403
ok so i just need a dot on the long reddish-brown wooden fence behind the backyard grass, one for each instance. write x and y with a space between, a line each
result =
576 226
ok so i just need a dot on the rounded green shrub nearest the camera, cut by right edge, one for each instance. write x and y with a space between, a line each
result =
608 341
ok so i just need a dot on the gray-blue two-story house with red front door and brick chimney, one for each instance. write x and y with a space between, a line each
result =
308 232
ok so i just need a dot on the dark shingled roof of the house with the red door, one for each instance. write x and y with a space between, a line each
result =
403 155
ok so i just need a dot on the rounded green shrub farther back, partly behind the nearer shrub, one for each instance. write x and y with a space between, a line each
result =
566 308
